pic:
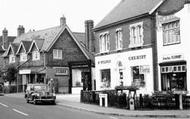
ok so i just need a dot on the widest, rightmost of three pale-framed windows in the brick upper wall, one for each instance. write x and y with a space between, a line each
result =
136 35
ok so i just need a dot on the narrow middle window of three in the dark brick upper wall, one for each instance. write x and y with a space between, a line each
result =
119 40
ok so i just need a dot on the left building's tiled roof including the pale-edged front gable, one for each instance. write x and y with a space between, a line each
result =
49 37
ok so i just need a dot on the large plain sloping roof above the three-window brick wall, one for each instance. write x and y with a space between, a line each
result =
128 9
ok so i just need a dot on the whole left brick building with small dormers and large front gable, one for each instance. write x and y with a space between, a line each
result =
56 53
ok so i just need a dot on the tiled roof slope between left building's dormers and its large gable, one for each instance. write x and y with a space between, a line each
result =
48 35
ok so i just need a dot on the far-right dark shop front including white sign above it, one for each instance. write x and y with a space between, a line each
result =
173 73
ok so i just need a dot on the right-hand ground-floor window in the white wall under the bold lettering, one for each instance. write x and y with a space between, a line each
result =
138 77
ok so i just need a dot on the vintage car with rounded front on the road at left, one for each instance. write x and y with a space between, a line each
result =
38 93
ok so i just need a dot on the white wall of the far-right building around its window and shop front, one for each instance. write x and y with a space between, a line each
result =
182 49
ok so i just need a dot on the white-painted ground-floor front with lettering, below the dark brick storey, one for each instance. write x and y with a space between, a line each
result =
132 68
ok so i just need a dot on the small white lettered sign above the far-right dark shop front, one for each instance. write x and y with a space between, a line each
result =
172 57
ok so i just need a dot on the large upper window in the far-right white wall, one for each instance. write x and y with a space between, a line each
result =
171 33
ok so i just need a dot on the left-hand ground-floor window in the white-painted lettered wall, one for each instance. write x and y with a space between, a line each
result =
105 78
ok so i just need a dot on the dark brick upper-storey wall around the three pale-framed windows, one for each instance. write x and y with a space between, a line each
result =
147 34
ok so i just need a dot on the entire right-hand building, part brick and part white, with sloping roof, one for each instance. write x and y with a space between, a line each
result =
136 42
